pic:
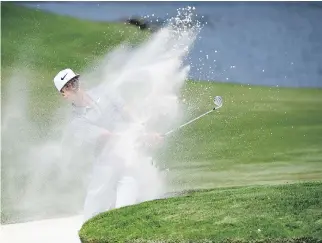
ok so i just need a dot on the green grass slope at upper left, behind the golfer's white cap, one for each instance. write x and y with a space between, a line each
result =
38 45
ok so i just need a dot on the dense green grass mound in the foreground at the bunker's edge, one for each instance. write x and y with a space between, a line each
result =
249 214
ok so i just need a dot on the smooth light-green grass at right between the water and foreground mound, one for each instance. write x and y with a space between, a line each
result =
260 135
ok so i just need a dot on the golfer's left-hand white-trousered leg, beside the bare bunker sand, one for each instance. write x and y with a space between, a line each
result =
101 193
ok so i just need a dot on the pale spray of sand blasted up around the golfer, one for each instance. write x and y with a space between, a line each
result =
50 178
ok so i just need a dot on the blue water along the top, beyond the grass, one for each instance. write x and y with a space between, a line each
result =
262 43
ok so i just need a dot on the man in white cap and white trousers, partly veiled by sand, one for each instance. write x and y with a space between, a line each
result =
87 127
